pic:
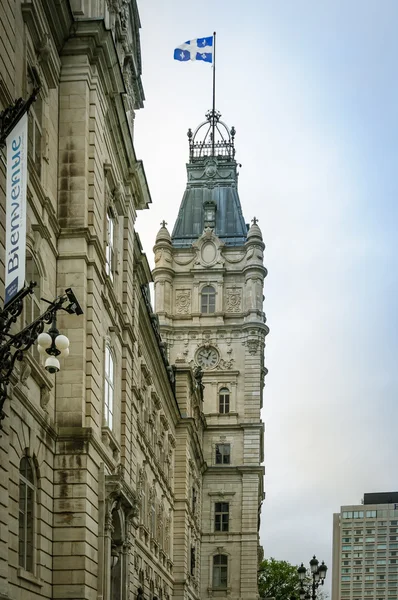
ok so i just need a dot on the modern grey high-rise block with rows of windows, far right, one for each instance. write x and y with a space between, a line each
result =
365 549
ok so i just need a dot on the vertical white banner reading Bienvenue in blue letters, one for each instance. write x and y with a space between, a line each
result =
17 172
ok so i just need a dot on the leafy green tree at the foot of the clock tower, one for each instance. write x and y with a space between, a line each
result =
277 579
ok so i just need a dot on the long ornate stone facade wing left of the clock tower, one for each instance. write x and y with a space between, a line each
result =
90 459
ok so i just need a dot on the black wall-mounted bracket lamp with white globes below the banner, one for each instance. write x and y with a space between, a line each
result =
50 344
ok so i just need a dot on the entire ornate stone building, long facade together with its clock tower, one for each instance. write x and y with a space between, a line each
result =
123 477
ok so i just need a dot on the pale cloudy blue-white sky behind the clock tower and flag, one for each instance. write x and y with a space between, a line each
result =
311 88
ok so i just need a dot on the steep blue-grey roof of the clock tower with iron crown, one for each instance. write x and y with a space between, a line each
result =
211 198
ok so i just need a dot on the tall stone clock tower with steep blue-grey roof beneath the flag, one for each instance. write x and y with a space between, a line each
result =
209 277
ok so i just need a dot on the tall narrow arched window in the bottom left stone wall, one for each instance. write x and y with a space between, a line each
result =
27 499
